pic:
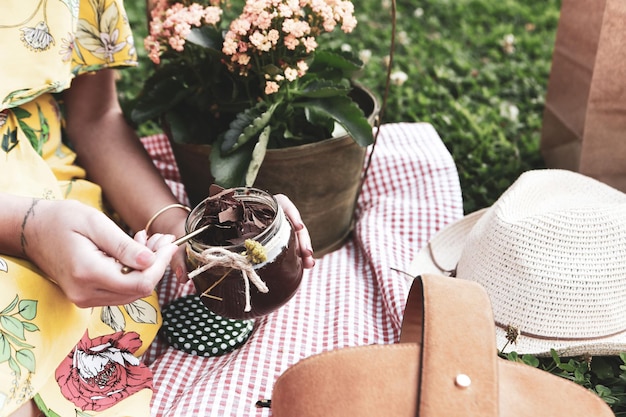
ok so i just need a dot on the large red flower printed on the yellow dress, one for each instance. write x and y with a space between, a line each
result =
101 372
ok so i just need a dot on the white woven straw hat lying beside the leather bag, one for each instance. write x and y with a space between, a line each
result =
551 254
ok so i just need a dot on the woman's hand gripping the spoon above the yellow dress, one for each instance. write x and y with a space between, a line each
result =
83 251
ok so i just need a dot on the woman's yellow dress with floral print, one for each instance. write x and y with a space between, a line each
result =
72 361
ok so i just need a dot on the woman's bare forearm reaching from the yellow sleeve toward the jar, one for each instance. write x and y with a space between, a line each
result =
114 158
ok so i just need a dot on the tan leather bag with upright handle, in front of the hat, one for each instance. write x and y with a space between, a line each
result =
446 364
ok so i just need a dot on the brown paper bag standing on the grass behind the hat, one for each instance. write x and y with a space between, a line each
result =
584 123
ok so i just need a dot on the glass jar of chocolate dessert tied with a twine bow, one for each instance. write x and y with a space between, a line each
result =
245 265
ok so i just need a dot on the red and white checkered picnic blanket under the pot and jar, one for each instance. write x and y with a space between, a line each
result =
353 296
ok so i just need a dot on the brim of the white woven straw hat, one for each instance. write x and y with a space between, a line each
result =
441 256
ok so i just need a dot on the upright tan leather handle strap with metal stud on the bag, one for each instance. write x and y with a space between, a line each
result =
461 320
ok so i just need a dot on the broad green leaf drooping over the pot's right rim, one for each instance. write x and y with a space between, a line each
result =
348 114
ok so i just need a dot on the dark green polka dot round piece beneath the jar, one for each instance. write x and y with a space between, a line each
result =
189 326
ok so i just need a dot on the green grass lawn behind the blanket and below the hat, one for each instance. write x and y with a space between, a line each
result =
477 70
